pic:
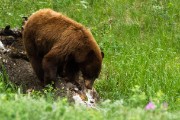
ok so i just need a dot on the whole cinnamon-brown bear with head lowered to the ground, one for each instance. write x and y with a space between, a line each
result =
57 45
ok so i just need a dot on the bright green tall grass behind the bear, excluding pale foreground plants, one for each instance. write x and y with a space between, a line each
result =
140 39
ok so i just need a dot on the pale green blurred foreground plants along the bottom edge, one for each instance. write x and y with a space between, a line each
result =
18 108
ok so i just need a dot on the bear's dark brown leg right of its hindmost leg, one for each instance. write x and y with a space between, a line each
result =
50 70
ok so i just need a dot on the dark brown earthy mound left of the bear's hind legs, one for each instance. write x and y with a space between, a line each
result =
16 64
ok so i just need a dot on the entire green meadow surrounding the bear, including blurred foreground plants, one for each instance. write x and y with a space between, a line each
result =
141 43
